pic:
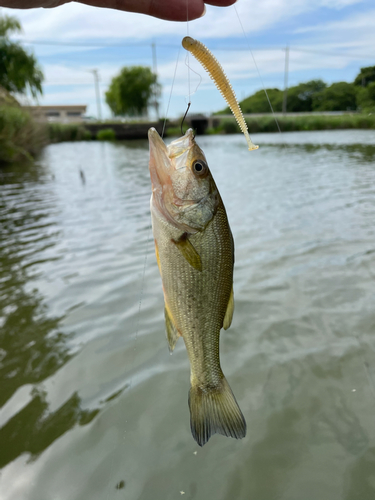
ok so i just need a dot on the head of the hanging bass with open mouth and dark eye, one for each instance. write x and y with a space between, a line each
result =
183 189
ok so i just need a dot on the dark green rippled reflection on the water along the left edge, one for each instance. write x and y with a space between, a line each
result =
32 345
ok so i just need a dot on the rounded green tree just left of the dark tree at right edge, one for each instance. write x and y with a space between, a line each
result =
340 96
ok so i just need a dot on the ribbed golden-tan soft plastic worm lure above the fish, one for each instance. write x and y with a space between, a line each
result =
216 72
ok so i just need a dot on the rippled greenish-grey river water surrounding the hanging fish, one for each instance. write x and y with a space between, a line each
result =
92 406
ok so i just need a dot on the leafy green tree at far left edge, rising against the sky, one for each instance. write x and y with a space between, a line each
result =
19 70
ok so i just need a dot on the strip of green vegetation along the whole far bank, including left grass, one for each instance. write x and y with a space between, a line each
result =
23 138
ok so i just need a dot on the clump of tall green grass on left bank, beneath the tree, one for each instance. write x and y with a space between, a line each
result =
20 136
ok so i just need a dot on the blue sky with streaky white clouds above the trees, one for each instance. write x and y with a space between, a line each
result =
327 39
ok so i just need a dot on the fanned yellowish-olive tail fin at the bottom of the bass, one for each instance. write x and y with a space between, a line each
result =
215 410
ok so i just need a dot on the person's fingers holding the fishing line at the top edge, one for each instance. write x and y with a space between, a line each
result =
170 10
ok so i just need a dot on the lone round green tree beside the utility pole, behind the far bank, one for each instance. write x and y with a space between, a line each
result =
131 91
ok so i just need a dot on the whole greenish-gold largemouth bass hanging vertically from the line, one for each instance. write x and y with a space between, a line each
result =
195 254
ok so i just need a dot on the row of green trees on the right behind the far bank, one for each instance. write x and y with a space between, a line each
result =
316 95
